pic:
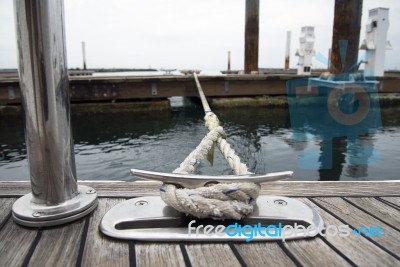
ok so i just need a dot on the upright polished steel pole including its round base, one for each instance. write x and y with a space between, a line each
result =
56 198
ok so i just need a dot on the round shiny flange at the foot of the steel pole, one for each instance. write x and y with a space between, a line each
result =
28 213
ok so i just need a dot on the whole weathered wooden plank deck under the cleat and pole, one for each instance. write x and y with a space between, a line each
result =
357 204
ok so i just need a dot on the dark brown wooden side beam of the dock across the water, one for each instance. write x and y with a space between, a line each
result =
124 88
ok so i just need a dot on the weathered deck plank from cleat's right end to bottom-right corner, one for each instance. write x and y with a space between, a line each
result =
357 249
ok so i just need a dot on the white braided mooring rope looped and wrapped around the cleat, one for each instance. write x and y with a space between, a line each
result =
218 201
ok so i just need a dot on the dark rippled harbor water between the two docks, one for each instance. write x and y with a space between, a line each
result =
107 145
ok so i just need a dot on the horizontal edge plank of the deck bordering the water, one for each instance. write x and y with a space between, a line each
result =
284 188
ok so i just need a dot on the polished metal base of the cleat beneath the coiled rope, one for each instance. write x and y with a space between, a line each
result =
150 219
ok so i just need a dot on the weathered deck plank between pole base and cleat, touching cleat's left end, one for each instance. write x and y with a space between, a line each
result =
100 250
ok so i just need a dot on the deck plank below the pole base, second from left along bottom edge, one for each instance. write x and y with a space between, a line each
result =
58 246
